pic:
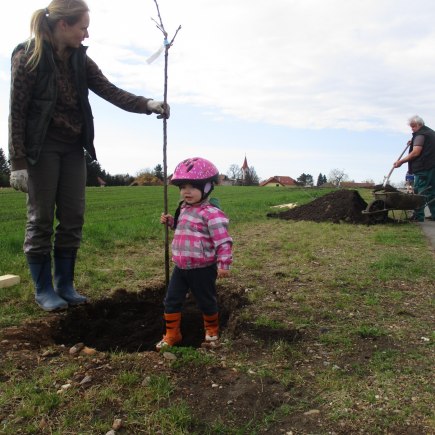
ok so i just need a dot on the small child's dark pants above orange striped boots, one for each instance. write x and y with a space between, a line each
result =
201 282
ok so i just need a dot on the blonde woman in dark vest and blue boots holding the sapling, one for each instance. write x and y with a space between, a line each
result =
50 123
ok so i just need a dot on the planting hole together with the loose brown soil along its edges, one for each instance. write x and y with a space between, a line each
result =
133 322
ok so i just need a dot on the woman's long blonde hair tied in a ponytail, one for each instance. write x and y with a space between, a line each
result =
43 22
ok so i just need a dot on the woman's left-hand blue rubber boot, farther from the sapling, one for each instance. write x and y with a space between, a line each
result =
45 296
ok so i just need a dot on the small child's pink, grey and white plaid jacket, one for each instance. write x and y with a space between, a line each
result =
201 237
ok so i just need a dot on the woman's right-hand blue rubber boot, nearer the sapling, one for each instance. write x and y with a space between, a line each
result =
64 264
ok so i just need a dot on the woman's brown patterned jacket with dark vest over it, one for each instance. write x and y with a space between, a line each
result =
52 101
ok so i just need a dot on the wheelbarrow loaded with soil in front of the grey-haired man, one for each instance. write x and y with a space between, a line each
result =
377 210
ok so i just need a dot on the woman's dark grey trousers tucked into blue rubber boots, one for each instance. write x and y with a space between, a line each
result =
56 188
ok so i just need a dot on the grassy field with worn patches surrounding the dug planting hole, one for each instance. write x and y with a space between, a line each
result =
335 335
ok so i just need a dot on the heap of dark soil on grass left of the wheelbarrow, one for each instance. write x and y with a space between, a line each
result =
339 206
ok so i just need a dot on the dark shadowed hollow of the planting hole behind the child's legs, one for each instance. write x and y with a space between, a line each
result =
132 322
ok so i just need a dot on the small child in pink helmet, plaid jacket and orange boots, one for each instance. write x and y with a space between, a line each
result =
201 249
